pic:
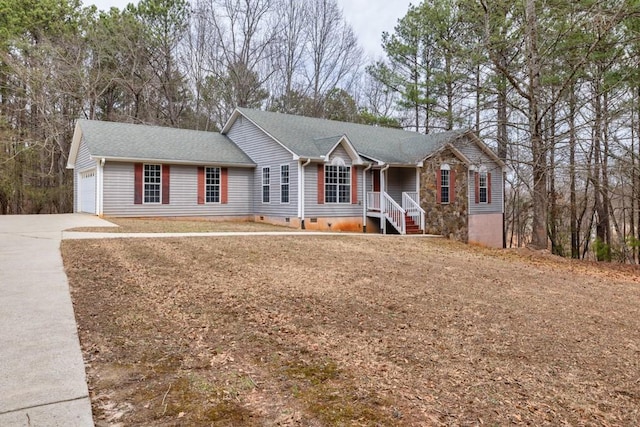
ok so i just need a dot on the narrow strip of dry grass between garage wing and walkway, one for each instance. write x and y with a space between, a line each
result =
179 225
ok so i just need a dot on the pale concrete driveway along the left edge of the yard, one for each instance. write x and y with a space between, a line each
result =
42 377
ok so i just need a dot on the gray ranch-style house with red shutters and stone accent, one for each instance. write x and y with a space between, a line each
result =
296 171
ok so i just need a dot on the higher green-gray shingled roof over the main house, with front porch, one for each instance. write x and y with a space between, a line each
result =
309 137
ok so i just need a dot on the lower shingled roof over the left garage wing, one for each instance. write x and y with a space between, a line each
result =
124 141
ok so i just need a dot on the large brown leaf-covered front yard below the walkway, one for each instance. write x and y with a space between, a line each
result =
343 330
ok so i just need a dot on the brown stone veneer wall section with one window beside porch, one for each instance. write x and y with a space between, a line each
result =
450 220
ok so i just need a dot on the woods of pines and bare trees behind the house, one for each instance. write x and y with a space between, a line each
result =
553 86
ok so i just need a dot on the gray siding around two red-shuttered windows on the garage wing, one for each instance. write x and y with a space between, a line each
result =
183 193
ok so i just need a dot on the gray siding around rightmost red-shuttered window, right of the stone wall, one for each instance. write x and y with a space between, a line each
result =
479 158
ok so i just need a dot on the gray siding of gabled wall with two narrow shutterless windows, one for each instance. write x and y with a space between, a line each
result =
265 152
